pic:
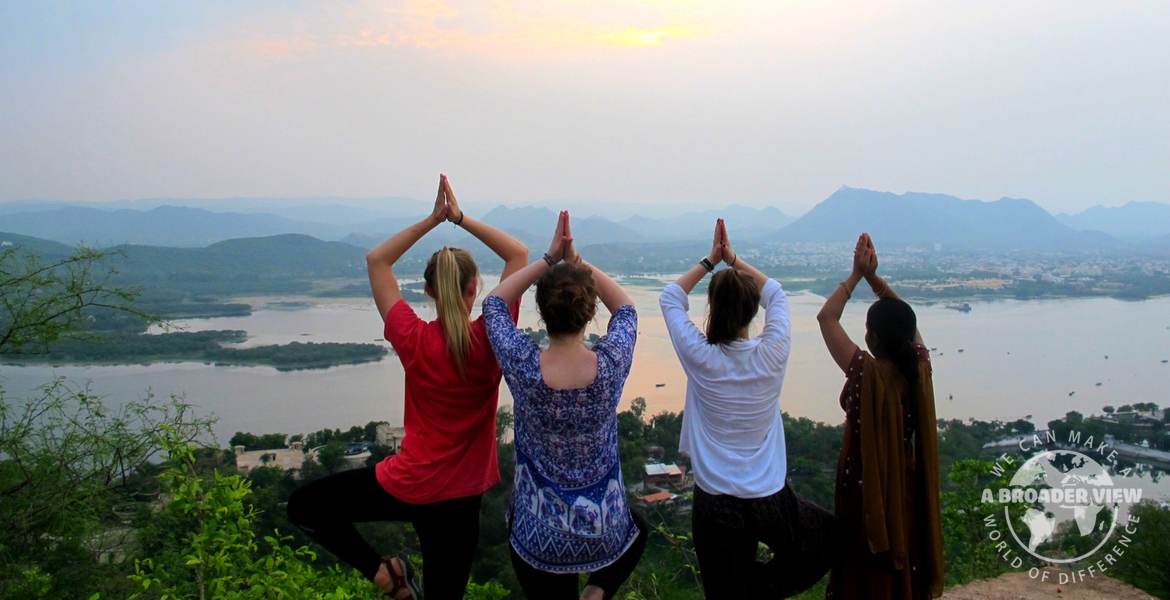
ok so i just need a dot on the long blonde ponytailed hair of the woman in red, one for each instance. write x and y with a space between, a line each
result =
449 274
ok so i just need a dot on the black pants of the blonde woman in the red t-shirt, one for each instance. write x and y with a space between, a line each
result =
449 532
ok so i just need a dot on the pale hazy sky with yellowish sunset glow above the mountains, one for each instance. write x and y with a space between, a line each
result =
765 102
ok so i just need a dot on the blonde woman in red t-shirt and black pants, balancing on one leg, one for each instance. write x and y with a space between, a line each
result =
449 457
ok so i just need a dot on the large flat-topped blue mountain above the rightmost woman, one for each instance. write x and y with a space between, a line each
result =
930 219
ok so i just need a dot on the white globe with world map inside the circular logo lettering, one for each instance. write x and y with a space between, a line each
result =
1062 493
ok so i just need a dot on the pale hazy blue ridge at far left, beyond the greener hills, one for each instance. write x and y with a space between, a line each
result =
162 226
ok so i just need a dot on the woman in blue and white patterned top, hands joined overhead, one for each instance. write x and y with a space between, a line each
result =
569 512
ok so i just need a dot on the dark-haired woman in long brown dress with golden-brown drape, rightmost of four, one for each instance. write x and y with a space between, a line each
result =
887 475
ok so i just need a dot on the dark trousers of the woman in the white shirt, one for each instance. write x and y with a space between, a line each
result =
728 532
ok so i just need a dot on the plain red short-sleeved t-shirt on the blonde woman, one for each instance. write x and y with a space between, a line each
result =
450 447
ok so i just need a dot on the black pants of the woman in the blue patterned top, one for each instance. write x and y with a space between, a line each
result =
542 585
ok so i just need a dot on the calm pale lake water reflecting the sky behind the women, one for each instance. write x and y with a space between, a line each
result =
1002 361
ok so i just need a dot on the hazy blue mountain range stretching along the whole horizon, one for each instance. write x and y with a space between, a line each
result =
909 219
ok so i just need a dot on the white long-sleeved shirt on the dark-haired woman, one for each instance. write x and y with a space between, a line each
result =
732 426
